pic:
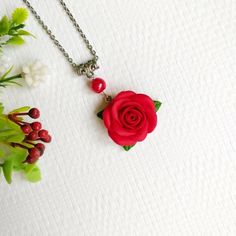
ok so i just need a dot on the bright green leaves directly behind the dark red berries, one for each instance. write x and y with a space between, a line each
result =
12 155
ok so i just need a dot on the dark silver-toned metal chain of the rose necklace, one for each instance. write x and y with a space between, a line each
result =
58 44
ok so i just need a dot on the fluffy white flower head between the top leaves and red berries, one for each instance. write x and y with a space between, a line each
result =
34 73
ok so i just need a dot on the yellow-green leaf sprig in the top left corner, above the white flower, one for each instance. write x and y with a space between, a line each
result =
13 28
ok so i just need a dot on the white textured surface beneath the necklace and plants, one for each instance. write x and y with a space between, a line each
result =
182 179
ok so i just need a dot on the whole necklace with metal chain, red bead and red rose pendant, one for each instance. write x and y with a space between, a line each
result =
129 116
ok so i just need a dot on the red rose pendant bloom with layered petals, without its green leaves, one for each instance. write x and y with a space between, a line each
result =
130 117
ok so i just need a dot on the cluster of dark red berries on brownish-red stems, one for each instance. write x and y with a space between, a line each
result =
33 134
